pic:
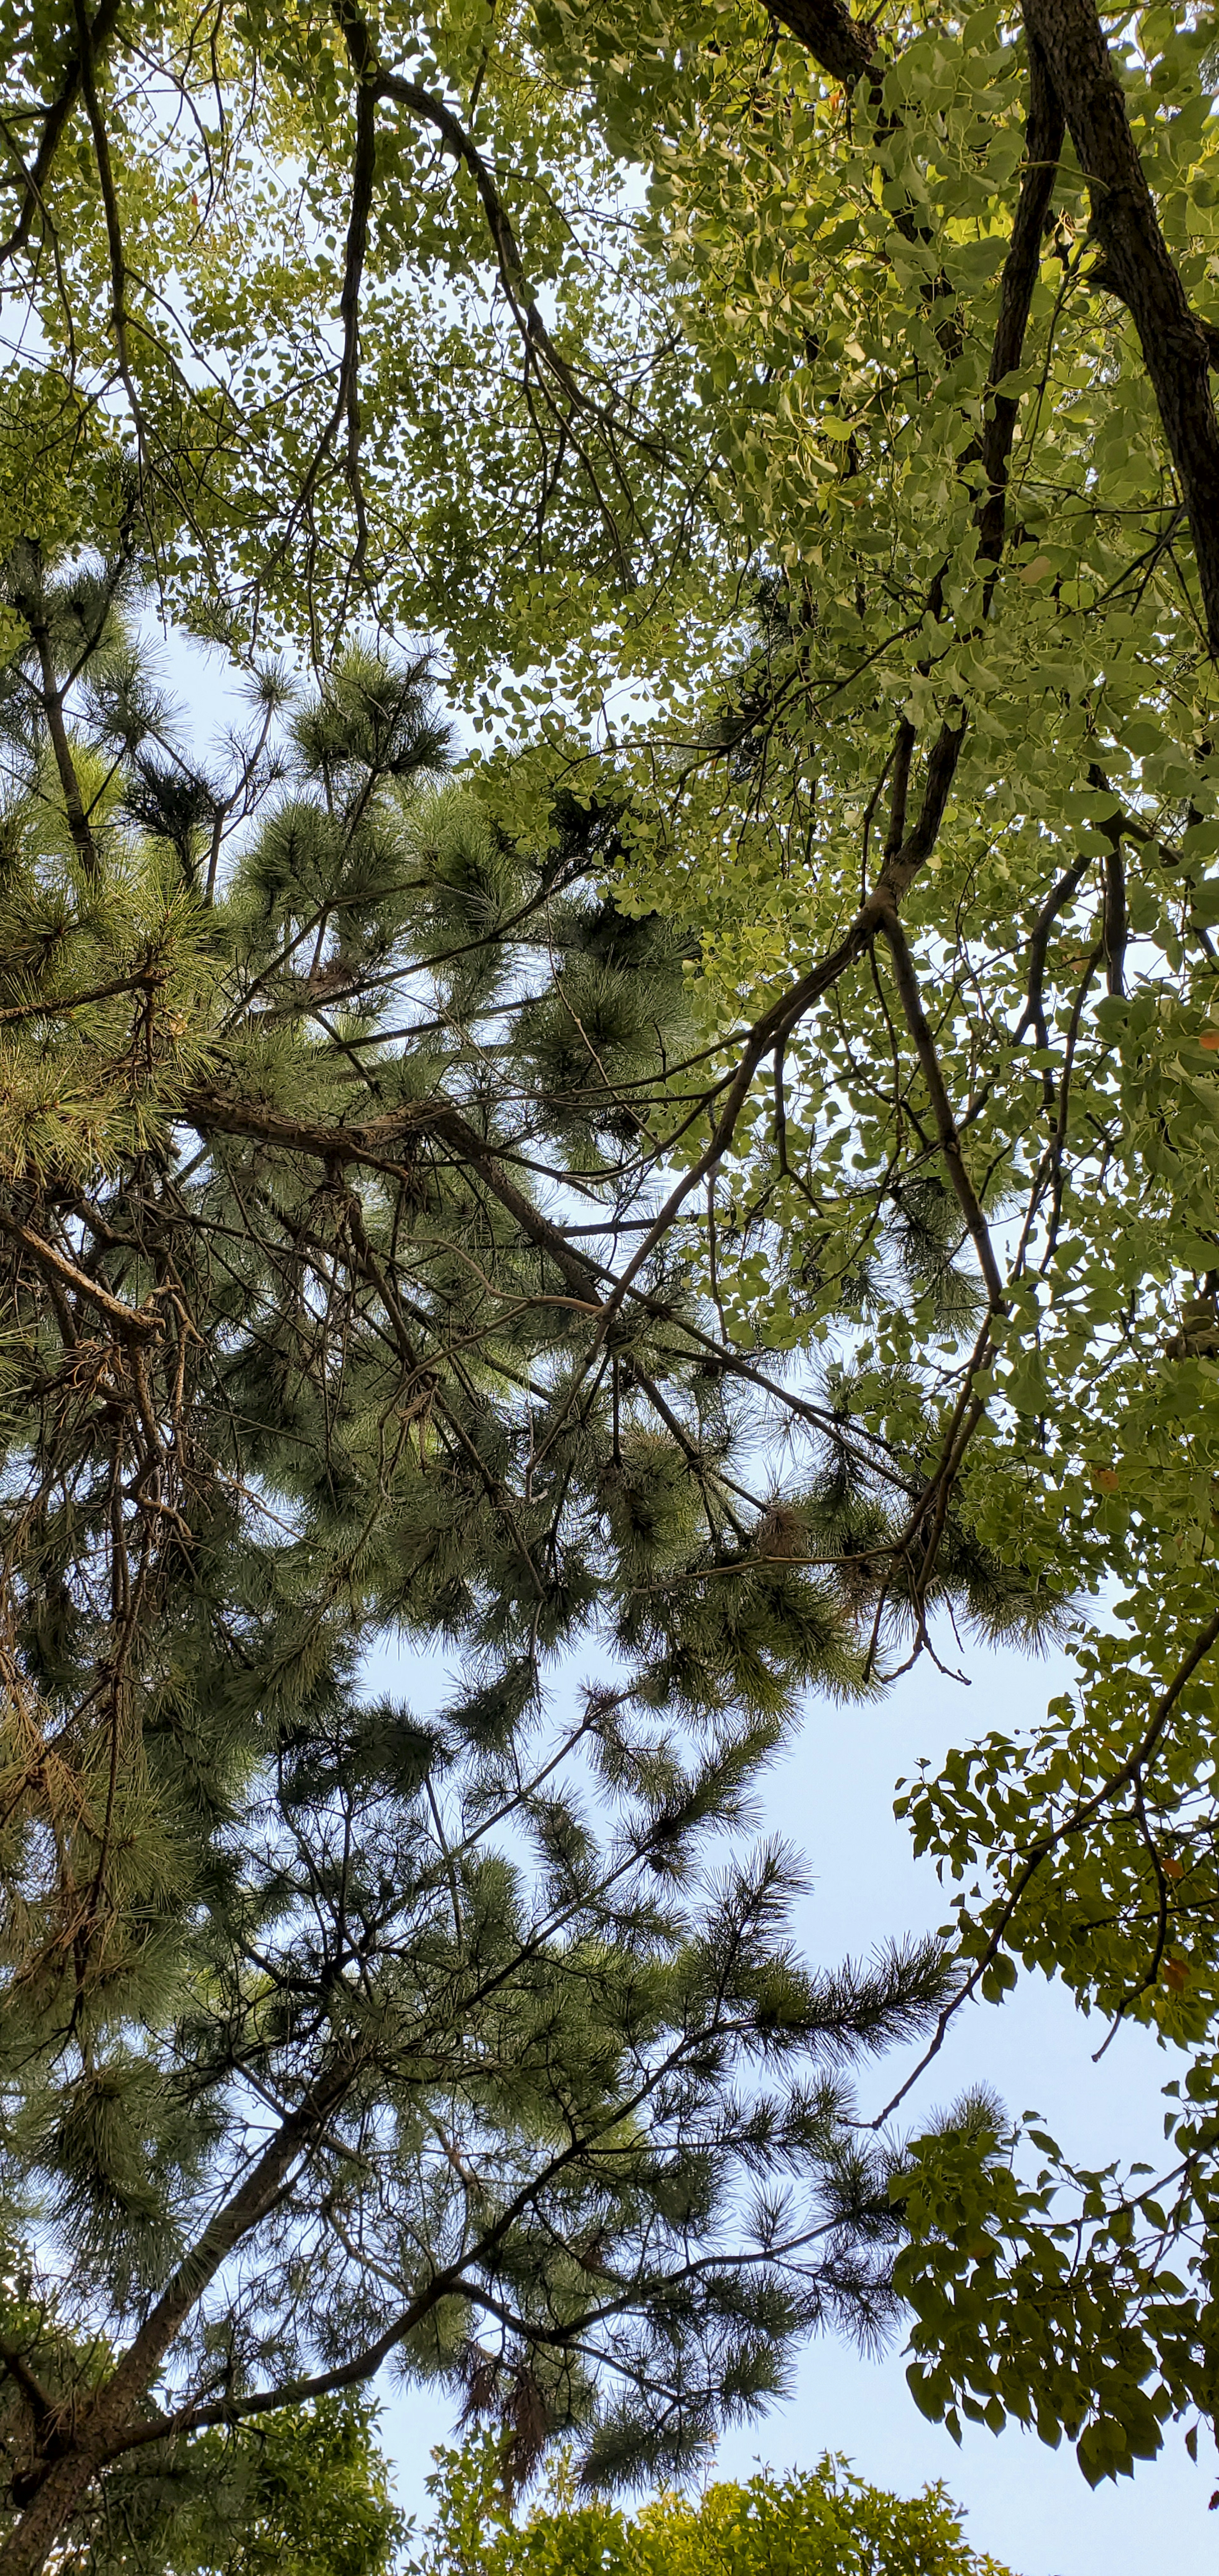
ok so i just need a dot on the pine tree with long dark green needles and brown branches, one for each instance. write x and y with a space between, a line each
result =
344 2029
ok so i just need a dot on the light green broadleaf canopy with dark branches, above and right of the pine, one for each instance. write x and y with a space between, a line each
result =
800 431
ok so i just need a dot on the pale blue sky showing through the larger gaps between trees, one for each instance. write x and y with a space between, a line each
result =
834 1799
